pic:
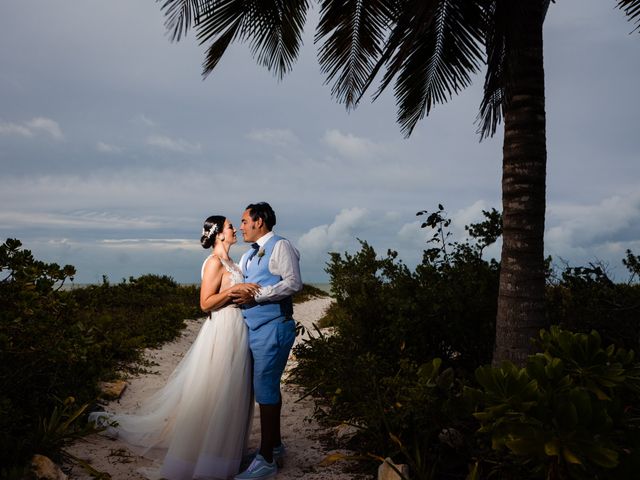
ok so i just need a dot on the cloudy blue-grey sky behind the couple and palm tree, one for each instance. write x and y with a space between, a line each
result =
114 149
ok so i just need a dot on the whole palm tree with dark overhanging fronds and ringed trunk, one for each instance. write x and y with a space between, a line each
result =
430 49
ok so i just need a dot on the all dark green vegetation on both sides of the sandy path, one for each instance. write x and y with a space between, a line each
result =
406 367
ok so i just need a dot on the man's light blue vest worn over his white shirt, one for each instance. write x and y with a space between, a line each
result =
258 272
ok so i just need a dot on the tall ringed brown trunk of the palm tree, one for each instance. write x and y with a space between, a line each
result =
522 282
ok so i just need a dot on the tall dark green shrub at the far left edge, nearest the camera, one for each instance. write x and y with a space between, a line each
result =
42 352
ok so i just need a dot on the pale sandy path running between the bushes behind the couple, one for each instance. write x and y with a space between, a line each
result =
300 432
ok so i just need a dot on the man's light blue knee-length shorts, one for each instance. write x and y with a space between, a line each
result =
270 346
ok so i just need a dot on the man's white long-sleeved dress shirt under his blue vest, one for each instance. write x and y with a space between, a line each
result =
284 262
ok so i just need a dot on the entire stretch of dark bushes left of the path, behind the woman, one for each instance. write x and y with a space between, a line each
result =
56 344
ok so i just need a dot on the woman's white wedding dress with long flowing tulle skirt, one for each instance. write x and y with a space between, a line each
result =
200 420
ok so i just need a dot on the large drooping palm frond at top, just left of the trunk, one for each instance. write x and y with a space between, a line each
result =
432 51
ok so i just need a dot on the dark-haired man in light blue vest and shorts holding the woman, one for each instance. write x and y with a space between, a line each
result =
273 263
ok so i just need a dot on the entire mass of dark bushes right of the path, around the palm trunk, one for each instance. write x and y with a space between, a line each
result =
404 345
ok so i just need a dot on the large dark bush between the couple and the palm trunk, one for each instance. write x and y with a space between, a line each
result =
378 370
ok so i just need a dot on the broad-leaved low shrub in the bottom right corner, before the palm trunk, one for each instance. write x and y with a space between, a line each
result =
572 412
